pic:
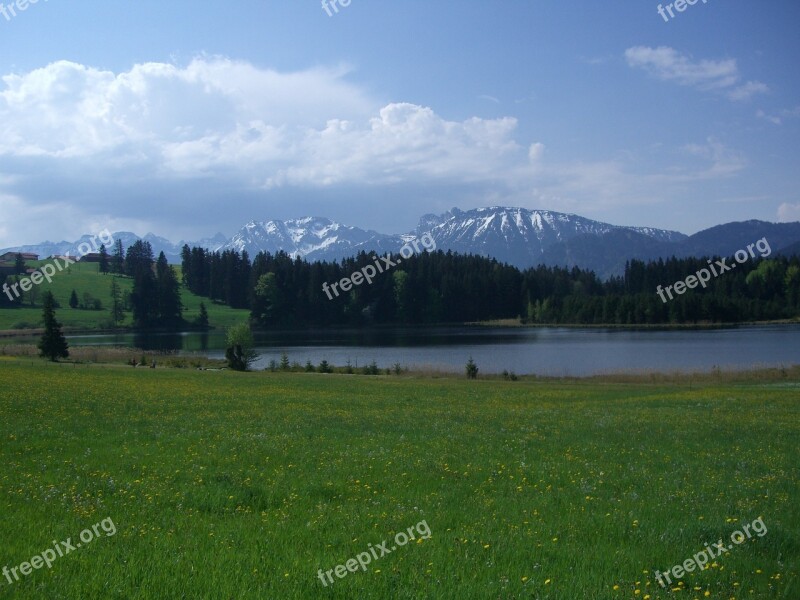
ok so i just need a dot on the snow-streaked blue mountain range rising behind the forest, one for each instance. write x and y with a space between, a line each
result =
518 236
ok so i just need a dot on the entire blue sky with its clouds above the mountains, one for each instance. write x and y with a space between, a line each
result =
185 119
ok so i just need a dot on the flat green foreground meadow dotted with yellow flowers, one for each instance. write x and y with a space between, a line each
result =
225 485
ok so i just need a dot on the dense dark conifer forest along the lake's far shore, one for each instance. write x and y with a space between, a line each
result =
439 287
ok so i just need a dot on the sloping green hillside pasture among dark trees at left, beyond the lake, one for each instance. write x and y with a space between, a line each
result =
86 277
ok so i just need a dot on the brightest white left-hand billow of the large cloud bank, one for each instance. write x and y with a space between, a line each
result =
67 109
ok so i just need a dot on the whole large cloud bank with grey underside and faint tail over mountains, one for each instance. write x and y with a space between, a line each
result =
189 150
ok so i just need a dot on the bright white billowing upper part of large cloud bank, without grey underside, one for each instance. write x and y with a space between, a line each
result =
217 115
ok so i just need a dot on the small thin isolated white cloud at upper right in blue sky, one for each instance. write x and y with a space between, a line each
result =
668 64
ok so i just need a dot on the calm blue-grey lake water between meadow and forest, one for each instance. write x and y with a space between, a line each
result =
541 351
